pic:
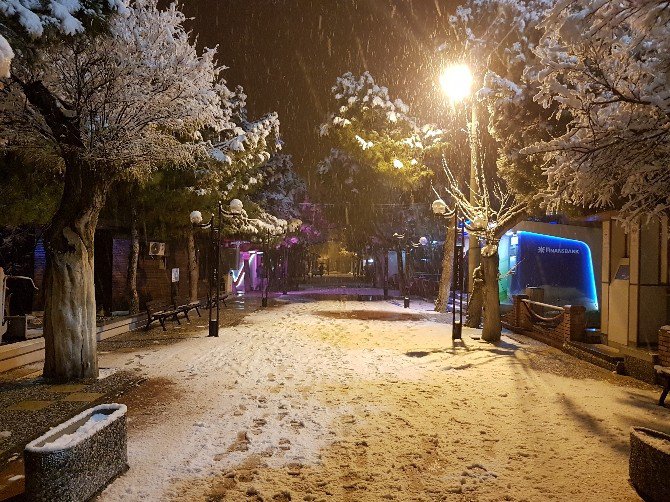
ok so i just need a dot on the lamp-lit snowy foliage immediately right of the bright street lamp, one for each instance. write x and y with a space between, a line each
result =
500 37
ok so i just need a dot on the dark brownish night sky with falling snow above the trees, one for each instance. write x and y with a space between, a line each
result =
287 54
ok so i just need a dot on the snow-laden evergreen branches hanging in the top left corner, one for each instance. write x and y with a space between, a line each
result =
23 22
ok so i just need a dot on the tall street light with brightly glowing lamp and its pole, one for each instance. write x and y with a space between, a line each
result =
457 81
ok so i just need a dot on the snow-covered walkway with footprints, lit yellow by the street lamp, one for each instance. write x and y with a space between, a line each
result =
363 401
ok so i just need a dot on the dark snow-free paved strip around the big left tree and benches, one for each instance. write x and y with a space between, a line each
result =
29 406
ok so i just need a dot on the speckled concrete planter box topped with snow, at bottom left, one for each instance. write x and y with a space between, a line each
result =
77 459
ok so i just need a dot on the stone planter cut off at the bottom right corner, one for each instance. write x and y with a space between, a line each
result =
649 465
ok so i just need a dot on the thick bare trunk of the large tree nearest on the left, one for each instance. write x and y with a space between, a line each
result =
69 311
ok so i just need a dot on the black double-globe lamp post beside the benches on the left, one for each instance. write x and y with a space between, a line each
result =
235 209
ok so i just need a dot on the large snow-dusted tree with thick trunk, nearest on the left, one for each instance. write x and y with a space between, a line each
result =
111 105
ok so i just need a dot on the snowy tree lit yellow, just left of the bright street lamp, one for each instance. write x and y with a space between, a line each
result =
381 155
